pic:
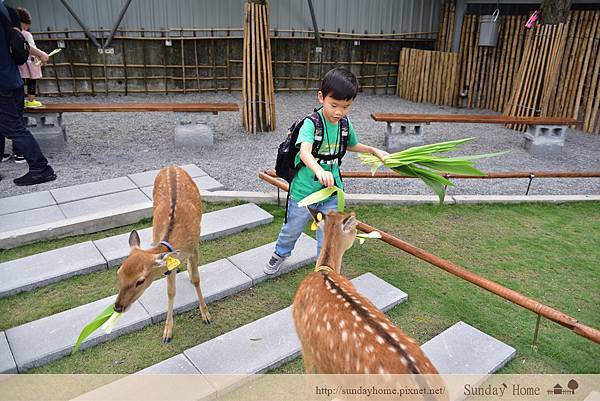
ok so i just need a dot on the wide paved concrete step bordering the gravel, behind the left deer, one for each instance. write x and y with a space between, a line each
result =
84 208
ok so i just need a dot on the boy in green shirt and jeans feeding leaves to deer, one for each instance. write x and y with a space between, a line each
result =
338 91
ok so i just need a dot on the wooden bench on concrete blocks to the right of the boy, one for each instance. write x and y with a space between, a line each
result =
546 135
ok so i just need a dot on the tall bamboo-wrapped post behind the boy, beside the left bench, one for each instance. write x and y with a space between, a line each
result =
258 104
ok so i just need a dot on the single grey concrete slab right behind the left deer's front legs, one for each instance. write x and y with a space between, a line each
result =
217 280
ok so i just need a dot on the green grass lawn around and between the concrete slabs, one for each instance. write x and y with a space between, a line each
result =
547 252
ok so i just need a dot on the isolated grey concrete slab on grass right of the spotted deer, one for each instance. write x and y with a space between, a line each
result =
462 349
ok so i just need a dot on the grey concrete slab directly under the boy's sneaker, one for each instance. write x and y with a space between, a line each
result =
252 262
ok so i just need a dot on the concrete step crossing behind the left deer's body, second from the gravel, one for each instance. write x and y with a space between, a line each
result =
35 271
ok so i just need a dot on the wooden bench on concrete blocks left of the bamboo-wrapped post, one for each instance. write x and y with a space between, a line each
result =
192 127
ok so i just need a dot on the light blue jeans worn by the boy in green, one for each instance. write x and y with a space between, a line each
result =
297 217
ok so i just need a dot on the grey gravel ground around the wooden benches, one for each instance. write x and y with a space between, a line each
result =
108 145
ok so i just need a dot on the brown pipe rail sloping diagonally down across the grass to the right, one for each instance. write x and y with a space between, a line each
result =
495 288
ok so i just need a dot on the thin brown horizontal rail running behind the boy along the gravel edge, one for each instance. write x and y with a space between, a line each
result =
536 174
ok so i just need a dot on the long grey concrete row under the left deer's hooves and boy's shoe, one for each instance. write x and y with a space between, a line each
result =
42 341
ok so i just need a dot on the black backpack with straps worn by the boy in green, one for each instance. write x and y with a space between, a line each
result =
286 154
